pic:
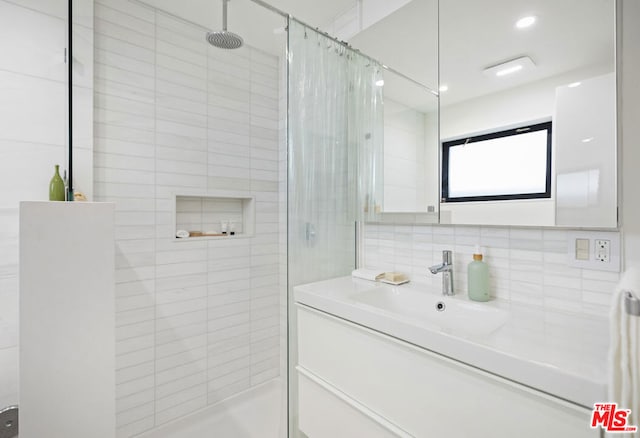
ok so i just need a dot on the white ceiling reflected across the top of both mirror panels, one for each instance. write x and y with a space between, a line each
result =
569 35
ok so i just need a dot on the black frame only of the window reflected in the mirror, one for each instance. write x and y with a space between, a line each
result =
447 145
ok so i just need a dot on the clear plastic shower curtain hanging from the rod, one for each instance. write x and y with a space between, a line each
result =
335 153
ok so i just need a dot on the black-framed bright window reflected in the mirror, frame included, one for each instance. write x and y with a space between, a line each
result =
510 164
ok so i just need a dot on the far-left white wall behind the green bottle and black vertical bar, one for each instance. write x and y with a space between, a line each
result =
33 134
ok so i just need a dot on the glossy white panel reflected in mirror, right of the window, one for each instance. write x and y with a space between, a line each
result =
585 162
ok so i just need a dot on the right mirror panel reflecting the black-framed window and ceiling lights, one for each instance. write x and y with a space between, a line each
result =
511 64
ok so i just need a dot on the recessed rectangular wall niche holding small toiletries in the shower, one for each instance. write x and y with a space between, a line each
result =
205 214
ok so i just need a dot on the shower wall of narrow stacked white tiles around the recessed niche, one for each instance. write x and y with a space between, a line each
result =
198 320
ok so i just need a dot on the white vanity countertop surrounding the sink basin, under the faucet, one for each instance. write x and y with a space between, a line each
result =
559 353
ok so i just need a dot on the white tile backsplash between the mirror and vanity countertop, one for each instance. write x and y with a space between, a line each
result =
527 265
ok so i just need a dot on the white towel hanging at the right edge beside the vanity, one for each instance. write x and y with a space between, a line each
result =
624 352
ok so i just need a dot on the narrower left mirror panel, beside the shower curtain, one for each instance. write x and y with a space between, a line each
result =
406 40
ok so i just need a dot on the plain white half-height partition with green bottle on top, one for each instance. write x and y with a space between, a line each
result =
67 329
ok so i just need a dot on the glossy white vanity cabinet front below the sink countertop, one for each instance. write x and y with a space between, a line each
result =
355 382
